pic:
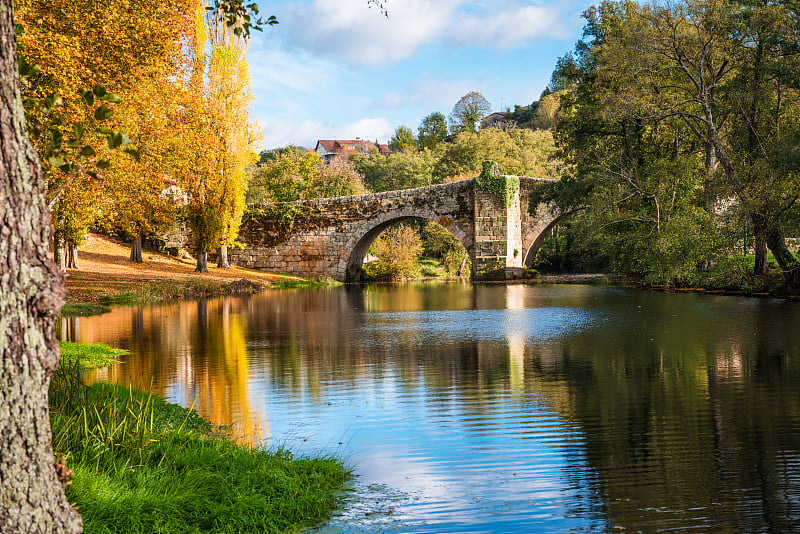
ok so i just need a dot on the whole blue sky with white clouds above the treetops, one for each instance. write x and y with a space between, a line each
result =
336 69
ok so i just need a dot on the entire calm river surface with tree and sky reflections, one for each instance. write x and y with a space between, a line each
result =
495 408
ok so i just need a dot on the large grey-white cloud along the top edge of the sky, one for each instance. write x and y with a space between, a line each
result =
347 30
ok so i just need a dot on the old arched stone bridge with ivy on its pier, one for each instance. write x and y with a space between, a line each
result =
330 237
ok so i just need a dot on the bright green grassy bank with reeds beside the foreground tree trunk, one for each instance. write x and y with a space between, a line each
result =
140 465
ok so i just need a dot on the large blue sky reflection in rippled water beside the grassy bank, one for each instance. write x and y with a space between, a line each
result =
441 461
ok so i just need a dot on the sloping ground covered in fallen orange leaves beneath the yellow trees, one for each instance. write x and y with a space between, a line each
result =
104 270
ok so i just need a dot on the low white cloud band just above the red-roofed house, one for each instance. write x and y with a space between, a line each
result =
281 132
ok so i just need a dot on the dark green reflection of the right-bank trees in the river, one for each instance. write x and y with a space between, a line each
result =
676 426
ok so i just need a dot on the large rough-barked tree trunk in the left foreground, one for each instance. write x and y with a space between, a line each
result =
31 293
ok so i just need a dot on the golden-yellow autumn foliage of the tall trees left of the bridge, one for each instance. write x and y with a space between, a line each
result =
180 121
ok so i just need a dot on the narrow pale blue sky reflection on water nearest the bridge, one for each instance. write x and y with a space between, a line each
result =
488 325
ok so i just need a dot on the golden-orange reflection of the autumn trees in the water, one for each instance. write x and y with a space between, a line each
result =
193 352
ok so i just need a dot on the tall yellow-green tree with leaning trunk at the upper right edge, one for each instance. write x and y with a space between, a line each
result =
723 69
